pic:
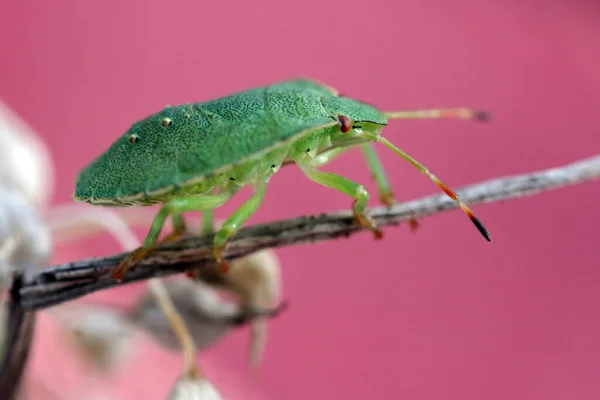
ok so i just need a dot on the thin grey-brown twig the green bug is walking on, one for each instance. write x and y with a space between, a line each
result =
69 281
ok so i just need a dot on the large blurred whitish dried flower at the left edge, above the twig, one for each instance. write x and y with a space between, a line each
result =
25 184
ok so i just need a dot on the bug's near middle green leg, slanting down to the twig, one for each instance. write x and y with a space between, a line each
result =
235 221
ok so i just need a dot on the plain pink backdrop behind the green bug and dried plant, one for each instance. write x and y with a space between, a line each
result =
439 314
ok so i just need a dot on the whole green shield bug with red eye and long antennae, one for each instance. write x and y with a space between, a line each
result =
196 156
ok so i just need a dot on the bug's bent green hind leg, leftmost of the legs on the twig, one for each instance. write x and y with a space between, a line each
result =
172 207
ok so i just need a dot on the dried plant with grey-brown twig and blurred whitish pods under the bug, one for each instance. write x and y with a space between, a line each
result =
178 314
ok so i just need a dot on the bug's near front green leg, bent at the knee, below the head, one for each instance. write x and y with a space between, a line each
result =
346 186
